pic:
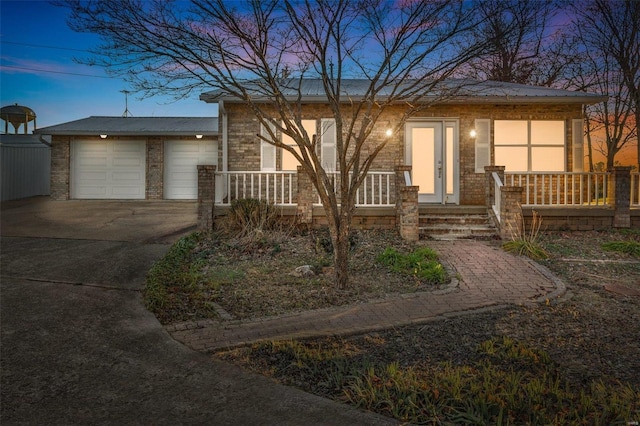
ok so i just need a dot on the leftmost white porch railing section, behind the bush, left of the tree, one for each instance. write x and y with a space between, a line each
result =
279 188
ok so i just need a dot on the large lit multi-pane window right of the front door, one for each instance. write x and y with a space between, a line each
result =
536 145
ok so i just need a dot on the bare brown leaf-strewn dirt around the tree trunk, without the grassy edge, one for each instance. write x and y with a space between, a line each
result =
257 277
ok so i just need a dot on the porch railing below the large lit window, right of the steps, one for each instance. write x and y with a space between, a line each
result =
562 189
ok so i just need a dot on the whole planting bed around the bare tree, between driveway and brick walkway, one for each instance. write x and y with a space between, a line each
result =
227 277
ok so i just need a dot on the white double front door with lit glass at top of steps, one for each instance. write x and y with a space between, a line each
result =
432 151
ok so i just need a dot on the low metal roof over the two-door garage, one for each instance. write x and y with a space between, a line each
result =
135 126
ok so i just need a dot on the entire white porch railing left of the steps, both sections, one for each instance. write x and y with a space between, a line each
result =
281 187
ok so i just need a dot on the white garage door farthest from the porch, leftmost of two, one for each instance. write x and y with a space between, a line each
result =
108 169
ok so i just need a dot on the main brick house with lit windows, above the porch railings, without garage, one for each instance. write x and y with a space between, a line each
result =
525 128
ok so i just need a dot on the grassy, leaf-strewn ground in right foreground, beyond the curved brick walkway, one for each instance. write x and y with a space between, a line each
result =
577 360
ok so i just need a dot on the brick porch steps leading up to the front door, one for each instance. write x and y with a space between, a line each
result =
456 222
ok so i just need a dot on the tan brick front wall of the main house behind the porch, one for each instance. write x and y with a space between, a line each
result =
244 145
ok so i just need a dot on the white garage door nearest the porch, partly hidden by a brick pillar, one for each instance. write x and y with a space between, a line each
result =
181 159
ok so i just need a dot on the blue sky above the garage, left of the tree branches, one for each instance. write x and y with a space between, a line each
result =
47 80
